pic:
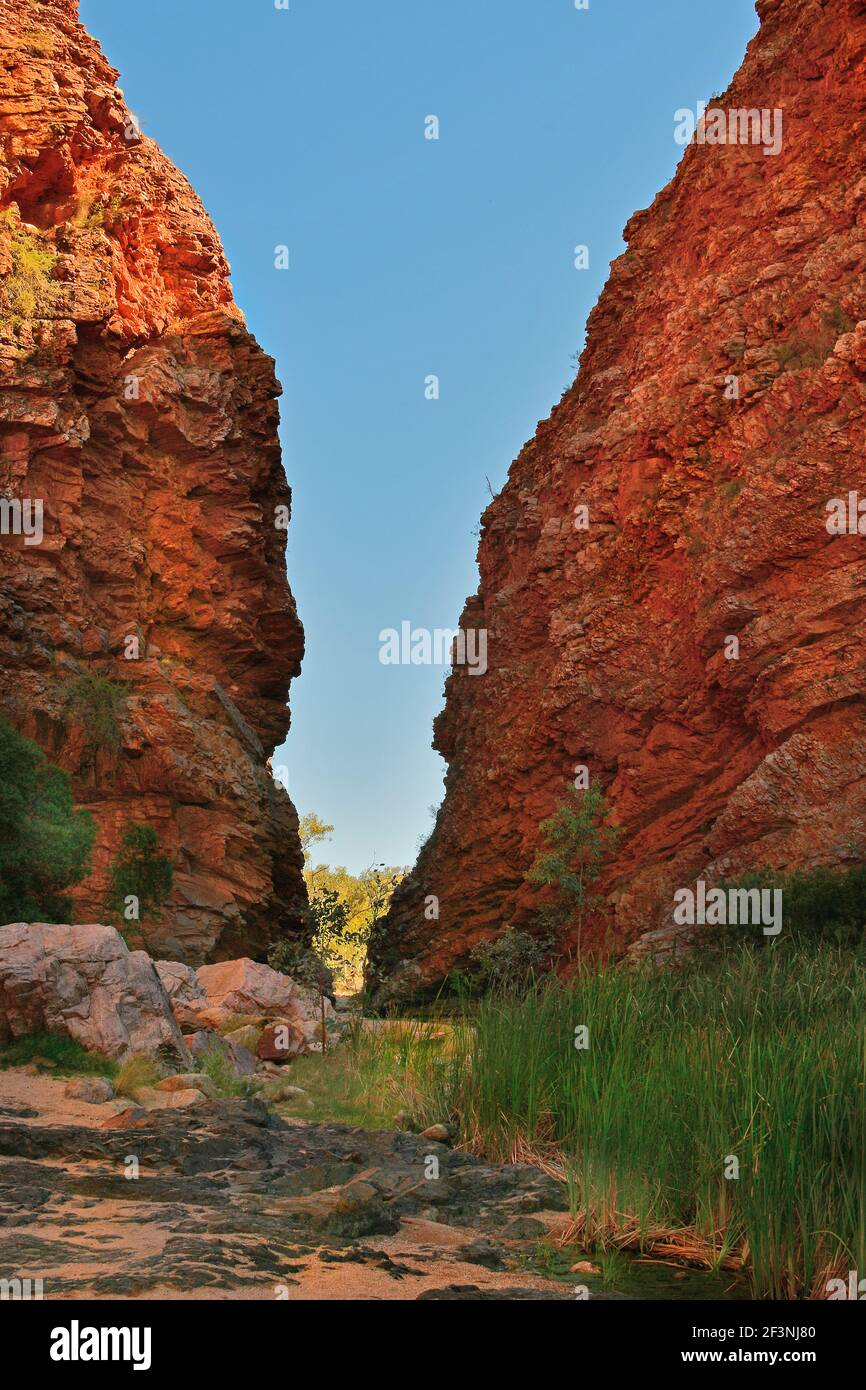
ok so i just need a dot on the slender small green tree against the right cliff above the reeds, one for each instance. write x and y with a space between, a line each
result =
579 843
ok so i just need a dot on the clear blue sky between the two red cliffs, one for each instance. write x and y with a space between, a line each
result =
409 258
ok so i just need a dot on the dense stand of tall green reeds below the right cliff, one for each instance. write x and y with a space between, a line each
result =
726 1099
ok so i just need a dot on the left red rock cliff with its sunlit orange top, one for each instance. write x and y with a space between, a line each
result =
136 405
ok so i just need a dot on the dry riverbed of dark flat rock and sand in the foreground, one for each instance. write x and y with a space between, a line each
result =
227 1200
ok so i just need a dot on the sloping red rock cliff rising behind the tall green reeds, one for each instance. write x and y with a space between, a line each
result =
708 508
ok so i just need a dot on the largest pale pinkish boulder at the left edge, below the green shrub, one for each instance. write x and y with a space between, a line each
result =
85 983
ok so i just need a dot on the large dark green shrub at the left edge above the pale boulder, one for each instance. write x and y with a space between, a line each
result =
45 843
